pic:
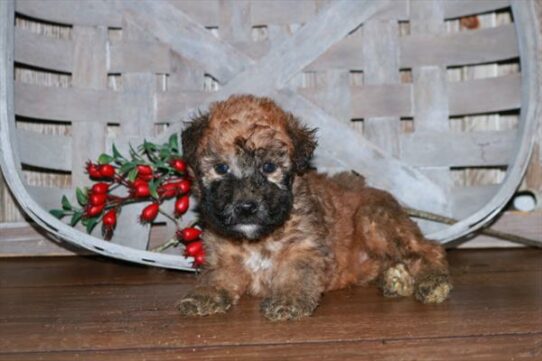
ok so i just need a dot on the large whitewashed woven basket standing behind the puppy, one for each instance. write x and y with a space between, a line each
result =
136 69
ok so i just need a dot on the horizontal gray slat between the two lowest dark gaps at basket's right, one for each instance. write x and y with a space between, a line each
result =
447 149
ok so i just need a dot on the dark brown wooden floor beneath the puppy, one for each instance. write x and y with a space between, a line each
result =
97 309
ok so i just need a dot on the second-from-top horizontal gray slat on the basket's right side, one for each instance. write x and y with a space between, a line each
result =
453 49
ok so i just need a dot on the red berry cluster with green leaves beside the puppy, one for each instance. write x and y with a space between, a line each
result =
152 175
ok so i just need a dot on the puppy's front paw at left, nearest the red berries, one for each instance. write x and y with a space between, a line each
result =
204 301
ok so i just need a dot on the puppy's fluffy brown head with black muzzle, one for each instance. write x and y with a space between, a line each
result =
244 155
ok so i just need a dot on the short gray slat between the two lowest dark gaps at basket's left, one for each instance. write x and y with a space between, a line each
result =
45 150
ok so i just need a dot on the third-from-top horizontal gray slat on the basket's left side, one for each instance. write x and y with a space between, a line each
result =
73 104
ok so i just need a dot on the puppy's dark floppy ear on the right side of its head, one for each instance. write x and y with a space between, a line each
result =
304 140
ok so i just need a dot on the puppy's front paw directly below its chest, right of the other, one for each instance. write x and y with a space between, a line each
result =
285 308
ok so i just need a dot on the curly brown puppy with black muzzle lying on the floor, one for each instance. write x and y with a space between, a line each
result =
275 228
